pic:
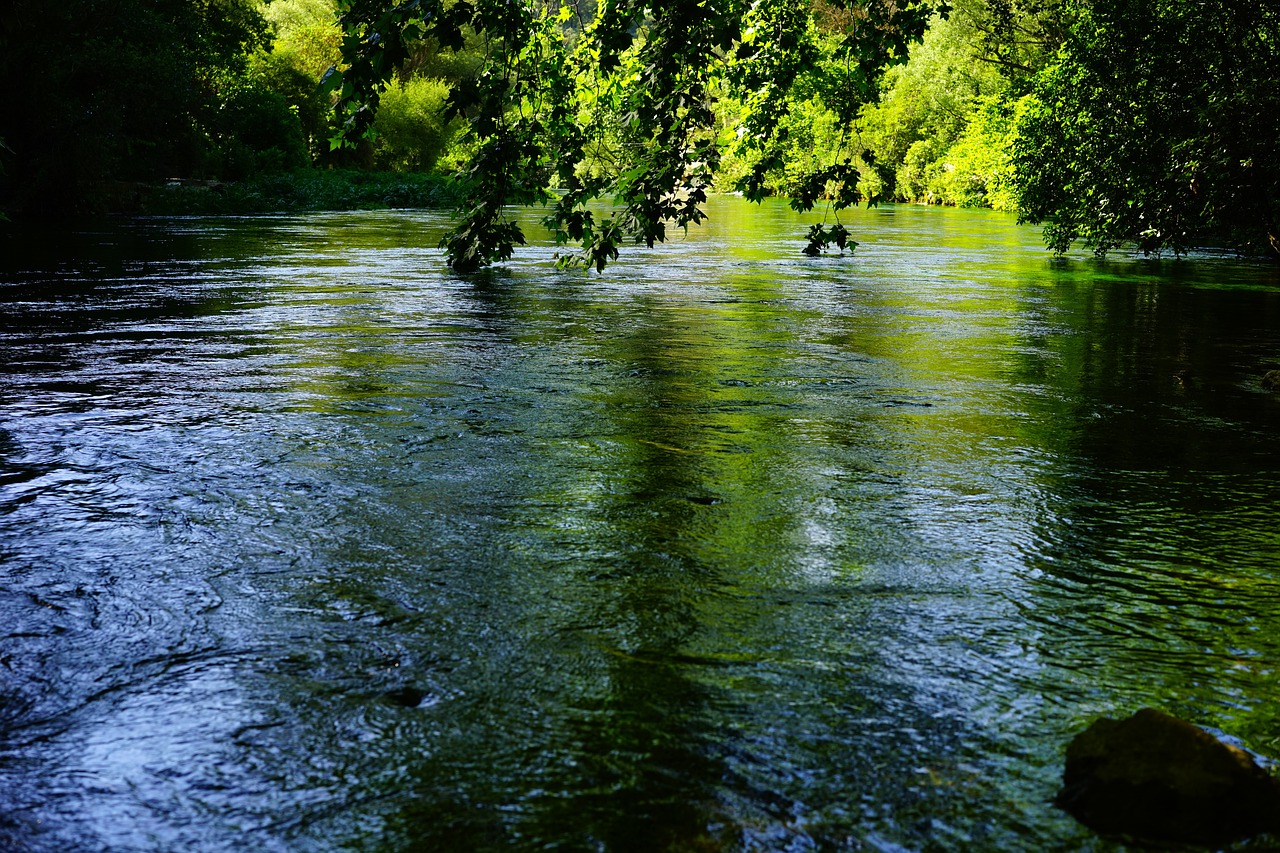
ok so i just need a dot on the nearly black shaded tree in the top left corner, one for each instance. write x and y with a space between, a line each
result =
97 93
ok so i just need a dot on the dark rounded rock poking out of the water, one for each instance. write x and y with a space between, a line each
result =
1158 778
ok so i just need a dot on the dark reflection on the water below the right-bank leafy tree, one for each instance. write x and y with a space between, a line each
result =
1156 353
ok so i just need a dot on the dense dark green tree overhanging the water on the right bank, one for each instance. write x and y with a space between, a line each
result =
1158 126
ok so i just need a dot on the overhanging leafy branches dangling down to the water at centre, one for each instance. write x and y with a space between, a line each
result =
638 86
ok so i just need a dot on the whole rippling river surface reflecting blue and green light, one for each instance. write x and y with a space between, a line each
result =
309 546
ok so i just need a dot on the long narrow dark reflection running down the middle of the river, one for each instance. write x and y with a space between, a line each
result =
647 746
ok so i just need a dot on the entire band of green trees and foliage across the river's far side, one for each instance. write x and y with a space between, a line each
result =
1149 125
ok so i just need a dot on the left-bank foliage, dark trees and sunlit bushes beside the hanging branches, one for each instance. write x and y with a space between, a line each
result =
107 99
